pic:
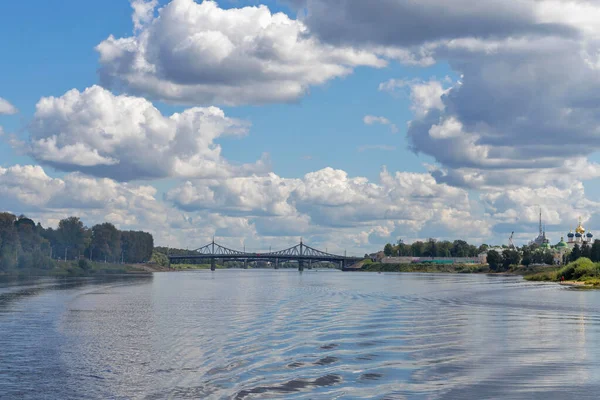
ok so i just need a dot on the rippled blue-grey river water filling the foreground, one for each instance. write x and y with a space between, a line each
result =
248 334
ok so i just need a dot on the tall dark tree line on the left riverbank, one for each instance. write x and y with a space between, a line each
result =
25 244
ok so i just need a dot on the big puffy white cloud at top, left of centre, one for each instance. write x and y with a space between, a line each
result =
199 53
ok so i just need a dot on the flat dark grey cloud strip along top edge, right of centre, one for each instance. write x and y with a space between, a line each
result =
403 23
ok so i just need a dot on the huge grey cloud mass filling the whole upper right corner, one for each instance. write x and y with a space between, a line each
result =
527 94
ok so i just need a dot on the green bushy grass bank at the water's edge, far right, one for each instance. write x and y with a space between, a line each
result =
582 272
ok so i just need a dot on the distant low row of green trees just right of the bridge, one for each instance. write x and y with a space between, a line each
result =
433 248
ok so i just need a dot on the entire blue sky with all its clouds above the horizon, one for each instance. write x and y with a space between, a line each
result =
347 124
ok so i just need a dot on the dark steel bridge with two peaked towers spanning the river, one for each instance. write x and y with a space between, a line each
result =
299 253
